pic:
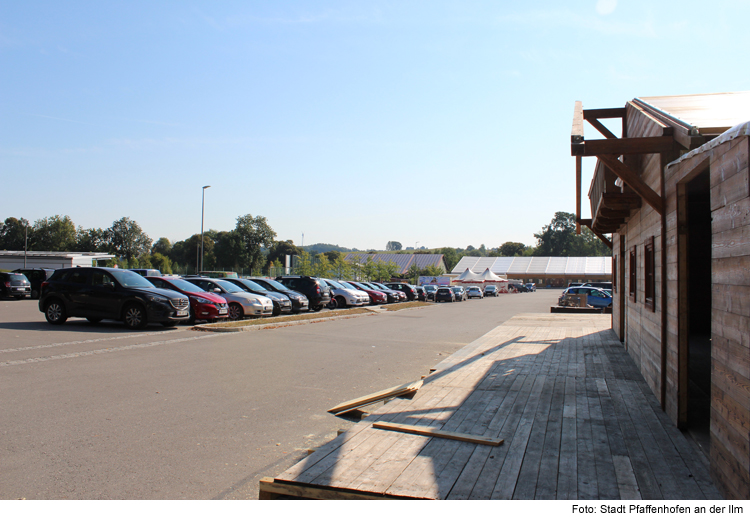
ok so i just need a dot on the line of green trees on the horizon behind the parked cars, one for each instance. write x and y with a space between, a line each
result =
251 247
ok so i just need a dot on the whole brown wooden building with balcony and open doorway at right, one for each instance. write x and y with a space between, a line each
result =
671 188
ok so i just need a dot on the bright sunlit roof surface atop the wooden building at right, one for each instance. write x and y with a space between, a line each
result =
705 111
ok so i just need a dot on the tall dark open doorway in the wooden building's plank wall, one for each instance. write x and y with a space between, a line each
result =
699 309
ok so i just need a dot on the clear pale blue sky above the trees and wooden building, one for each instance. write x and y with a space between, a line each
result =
442 123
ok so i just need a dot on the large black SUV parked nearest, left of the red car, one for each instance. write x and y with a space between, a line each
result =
110 293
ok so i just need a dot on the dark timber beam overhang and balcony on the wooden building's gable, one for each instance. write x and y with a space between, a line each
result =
610 204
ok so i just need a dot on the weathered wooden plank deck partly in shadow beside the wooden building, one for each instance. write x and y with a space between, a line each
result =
577 419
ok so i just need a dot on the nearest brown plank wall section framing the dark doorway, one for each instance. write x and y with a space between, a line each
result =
730 308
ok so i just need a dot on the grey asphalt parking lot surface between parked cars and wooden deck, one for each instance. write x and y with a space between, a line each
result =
98 412
